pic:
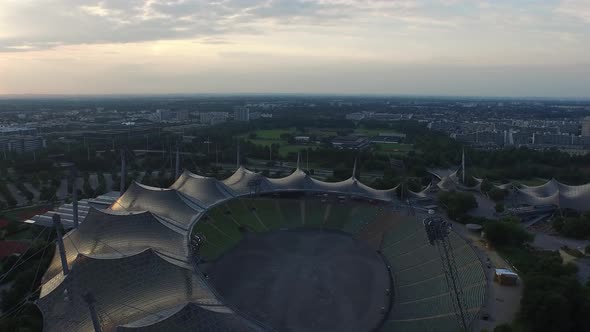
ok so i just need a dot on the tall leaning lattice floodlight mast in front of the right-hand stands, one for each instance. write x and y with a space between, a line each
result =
437 231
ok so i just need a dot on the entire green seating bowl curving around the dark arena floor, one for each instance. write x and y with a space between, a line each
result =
422 299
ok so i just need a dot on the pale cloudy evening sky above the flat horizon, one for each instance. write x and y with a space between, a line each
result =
419 47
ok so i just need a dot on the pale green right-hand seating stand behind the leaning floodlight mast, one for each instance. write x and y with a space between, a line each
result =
422 300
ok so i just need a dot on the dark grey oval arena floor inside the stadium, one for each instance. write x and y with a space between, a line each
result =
304 281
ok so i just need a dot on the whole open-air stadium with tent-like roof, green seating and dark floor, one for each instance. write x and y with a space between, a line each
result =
251 253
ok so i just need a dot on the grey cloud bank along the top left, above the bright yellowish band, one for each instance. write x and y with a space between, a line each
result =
32 25
